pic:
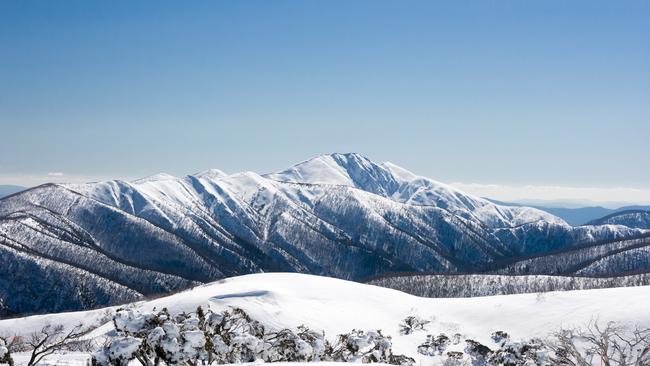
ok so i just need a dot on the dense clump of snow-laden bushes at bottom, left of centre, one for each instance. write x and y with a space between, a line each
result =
232 336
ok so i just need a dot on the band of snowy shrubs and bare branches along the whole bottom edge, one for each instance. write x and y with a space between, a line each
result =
207 338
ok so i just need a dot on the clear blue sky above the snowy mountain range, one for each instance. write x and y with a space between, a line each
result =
512 93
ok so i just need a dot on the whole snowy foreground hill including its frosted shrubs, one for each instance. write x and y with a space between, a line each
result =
286 317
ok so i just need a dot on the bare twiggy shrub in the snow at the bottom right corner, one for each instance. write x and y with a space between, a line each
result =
608 345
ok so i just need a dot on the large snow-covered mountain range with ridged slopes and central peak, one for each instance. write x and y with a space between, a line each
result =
338 215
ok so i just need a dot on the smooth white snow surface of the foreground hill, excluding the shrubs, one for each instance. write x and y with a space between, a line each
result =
281 300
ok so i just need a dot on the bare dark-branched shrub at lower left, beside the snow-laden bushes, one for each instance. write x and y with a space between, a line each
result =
51 339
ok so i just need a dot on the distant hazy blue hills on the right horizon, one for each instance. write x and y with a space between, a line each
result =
574 215
